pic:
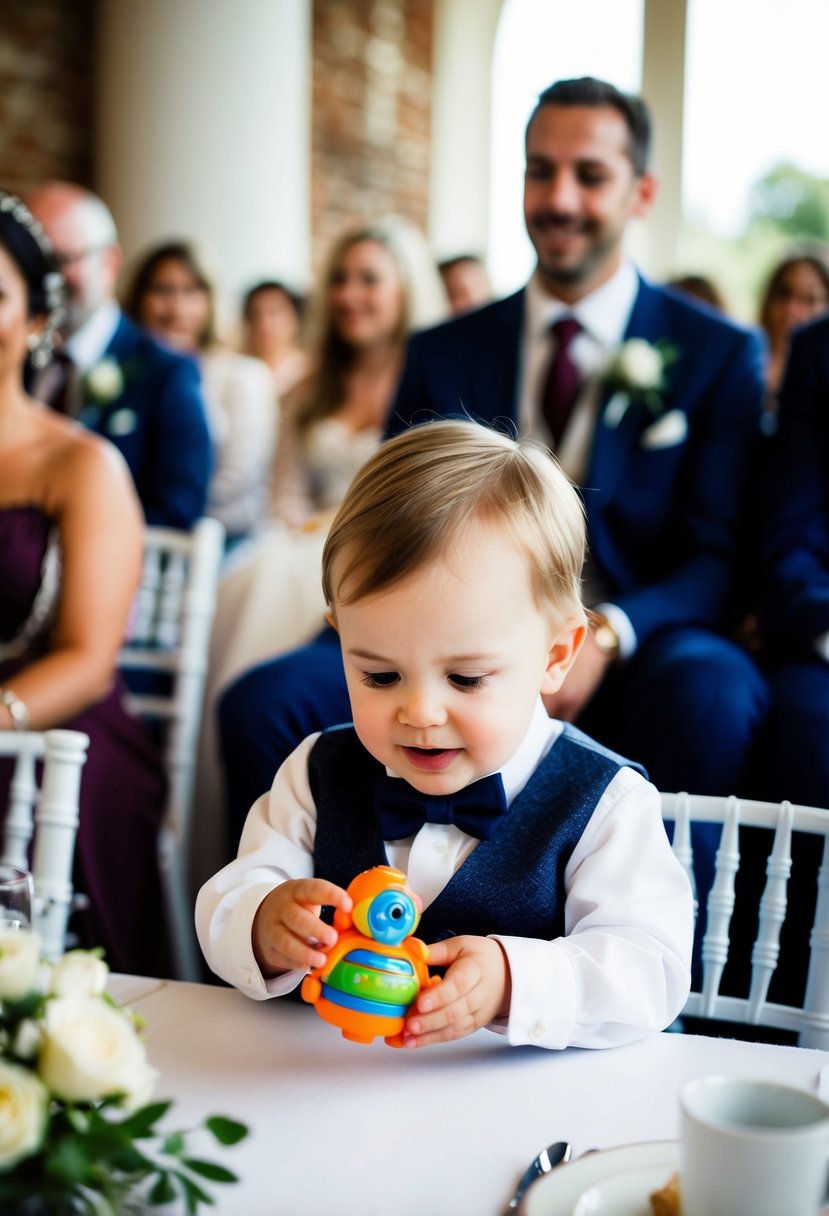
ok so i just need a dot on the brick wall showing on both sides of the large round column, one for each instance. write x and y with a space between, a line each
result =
371 104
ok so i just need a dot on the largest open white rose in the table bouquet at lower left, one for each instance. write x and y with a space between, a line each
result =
92 1051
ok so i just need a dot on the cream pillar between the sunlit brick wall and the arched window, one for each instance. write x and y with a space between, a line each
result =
461 102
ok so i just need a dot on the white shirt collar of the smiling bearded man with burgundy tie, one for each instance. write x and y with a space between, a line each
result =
604 313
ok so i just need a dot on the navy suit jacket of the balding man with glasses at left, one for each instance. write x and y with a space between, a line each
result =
160 426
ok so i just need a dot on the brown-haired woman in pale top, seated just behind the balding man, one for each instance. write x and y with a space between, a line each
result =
172 295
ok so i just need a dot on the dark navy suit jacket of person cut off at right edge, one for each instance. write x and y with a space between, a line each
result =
796 603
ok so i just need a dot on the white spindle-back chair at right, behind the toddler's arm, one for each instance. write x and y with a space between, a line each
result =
811 1022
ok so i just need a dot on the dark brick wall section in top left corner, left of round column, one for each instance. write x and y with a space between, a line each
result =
47 91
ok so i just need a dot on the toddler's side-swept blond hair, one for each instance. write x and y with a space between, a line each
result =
416 496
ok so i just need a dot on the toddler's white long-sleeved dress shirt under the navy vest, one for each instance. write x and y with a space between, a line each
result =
622 969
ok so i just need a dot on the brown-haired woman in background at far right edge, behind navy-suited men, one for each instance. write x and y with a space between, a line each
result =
797 292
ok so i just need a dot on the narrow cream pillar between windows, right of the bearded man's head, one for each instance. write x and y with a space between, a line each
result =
664 87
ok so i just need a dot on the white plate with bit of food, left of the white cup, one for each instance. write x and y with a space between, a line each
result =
559 1192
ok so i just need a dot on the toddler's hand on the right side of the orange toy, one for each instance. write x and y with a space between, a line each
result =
475 990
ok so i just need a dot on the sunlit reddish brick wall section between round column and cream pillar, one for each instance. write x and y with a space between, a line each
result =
371 114
